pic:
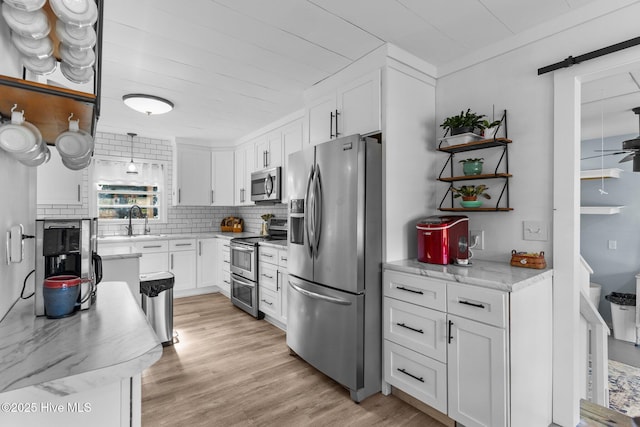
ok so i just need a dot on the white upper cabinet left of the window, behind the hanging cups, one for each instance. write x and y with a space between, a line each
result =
56 184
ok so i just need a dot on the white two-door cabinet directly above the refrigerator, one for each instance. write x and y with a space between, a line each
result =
352 108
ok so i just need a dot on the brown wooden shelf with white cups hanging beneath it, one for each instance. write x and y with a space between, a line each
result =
47 107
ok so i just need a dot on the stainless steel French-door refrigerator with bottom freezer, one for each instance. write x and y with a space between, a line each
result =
334 261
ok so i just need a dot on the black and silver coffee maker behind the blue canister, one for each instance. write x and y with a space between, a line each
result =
67 247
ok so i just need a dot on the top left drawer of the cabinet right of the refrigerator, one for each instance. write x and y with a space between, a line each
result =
415 289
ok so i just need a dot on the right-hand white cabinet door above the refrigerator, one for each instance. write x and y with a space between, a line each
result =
359 106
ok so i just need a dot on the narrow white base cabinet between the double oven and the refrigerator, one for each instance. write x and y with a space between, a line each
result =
272 284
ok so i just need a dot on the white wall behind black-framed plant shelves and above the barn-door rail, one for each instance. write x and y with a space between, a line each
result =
510 81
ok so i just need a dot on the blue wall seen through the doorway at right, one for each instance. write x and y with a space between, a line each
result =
615 269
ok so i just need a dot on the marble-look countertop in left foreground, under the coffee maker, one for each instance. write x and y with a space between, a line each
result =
109 342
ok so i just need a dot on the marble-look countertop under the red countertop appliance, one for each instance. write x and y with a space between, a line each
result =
488 274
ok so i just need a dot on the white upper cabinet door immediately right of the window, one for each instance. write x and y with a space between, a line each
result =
194 177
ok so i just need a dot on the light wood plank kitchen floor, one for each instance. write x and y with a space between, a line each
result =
229 369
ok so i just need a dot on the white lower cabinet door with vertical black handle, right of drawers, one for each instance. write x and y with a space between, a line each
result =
477 371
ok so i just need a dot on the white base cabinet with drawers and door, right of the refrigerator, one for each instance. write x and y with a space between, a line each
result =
479 355
